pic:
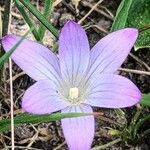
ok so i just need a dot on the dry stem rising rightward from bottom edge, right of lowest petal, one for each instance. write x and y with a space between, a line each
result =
107 145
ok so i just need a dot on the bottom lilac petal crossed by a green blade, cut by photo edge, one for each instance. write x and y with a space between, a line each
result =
78 132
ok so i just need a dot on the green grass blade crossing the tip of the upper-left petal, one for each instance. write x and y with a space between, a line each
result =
6 56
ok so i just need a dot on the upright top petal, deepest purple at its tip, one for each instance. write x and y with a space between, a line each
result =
73 52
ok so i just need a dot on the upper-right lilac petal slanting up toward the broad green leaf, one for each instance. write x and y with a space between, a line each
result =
110 52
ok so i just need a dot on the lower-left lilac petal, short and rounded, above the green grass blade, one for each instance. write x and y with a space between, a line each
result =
42 98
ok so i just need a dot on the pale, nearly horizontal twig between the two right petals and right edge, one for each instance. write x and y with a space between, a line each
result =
135 71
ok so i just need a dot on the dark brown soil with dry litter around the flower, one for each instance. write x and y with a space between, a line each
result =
48 136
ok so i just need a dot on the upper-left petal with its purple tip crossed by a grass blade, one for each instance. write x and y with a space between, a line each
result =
35 59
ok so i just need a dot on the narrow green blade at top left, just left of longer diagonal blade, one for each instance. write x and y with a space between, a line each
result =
27 19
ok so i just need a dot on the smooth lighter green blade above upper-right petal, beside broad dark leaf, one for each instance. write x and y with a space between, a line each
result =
121 15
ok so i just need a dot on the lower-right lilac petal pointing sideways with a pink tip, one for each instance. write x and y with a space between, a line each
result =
112 91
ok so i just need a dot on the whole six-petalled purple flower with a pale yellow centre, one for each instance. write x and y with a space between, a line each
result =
77 79
